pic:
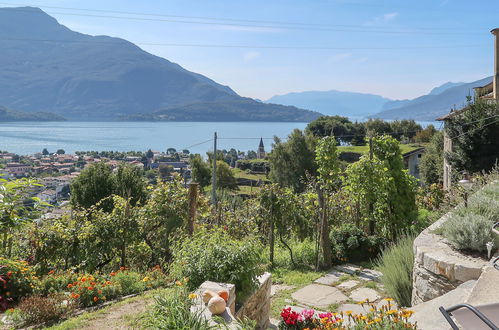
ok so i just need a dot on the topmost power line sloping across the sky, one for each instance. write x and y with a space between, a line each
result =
218 18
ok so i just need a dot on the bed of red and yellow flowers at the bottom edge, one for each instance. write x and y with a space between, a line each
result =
377 318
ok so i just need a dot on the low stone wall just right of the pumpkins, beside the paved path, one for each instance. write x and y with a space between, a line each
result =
257 306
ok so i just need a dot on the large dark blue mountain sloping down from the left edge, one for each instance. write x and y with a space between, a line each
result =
48 67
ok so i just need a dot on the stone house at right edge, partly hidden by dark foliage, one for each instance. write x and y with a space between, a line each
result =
488 93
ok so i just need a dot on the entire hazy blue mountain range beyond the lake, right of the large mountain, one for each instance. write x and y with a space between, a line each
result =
428 107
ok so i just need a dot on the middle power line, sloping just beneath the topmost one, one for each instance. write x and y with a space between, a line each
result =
332 29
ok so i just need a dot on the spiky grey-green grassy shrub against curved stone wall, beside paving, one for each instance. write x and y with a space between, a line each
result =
396 263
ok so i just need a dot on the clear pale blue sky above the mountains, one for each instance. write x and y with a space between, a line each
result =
397 49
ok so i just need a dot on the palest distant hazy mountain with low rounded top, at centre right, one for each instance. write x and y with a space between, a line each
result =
334 102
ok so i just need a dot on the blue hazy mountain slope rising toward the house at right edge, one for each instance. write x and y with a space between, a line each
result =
429 107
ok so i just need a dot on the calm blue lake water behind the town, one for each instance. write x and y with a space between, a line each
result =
30 137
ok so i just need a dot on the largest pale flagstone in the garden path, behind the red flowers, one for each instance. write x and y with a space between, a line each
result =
320 296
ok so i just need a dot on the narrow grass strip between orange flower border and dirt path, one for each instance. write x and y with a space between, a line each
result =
86 318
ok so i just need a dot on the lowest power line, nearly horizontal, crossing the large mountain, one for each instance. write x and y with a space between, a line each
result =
120 41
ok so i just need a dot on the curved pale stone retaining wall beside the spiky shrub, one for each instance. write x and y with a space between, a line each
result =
438 268
